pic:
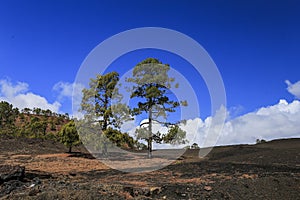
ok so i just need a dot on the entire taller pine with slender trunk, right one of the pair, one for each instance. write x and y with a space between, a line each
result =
151 87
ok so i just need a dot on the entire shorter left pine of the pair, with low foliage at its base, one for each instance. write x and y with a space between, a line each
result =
103 114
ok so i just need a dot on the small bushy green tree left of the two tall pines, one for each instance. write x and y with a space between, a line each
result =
69 136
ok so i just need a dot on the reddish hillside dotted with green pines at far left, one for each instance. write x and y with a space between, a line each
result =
31 123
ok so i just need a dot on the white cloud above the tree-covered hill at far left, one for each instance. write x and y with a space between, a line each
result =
18 94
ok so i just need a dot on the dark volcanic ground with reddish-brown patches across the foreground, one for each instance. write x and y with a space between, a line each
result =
265 171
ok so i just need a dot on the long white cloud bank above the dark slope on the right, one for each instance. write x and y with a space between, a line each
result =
277 121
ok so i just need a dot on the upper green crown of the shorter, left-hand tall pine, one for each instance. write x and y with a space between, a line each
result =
101 102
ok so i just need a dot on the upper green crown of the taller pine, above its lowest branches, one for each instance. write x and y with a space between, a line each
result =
151 85
